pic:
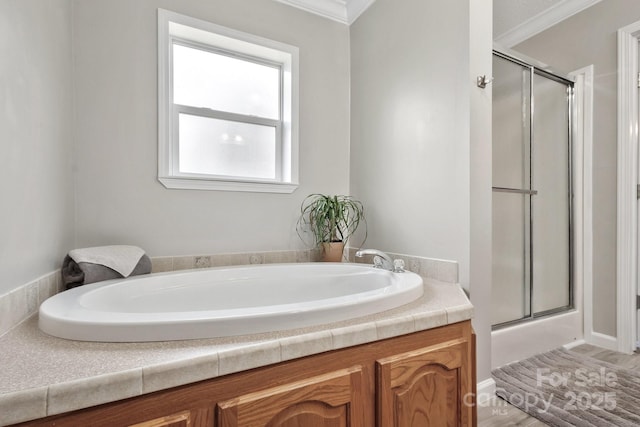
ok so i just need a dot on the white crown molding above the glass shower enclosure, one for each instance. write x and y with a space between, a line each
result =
542 21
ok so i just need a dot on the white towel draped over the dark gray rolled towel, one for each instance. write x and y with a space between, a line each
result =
121 258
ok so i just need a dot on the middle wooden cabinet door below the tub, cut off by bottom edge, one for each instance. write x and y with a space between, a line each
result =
330 400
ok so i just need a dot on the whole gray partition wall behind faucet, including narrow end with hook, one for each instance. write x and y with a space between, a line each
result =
414 106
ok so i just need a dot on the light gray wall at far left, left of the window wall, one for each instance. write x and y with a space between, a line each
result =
37 214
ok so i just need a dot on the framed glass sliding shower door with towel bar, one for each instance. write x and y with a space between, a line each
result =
531 192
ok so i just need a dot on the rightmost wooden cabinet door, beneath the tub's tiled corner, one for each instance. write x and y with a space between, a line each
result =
426 387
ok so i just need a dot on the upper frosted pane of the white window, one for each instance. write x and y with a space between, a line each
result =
219 82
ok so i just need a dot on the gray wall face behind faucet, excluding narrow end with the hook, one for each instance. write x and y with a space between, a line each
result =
410 126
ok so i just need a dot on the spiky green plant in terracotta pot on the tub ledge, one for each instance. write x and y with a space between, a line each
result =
331 220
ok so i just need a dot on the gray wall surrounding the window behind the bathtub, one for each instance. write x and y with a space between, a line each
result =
119 197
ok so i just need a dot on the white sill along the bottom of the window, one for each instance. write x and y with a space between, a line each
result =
222 185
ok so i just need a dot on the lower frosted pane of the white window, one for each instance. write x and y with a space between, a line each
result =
221 147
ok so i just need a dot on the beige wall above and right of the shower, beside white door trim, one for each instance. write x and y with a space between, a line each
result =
590 37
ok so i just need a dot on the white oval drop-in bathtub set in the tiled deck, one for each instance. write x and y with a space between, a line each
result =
225 301
